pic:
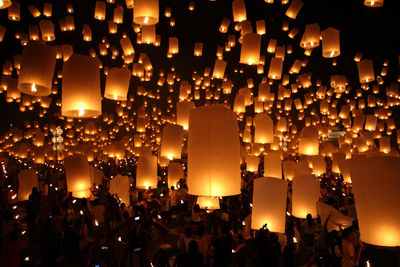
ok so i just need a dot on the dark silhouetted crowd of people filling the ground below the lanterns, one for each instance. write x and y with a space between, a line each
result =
164 226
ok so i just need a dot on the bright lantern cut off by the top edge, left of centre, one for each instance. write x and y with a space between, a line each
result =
146 12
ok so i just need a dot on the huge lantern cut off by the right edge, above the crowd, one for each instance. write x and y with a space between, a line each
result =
376 193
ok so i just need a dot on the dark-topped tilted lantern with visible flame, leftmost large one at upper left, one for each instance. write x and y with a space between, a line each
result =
37 69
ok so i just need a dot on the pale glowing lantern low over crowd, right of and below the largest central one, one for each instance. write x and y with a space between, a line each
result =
269 204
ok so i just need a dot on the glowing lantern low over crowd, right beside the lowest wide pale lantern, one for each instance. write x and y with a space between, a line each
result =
305 194
